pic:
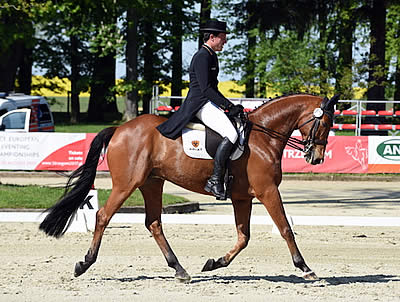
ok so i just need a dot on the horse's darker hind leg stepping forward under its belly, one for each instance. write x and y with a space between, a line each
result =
152 194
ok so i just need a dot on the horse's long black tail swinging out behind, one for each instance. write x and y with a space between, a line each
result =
60 215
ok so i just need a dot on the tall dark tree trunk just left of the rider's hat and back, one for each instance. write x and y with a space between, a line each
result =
176 57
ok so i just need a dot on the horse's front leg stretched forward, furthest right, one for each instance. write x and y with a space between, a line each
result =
271 199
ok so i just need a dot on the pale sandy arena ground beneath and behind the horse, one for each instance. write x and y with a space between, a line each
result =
353 263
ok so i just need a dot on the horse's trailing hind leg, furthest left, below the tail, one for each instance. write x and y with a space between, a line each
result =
103 217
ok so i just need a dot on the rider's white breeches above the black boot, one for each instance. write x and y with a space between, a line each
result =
215 118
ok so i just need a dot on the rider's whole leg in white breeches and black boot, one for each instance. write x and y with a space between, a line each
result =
214 117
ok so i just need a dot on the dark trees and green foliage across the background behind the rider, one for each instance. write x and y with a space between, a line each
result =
276 46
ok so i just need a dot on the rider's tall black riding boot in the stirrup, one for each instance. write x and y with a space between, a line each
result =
215 184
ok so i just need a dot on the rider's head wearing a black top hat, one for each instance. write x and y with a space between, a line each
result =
214 34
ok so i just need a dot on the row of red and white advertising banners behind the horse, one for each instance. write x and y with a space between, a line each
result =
67 151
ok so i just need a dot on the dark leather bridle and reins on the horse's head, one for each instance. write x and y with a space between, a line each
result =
302 145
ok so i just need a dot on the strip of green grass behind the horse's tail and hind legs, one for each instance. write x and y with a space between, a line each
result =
38 197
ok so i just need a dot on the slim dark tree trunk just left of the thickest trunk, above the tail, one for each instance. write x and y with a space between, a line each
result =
75 108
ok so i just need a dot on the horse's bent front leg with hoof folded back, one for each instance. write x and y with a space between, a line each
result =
242 210
